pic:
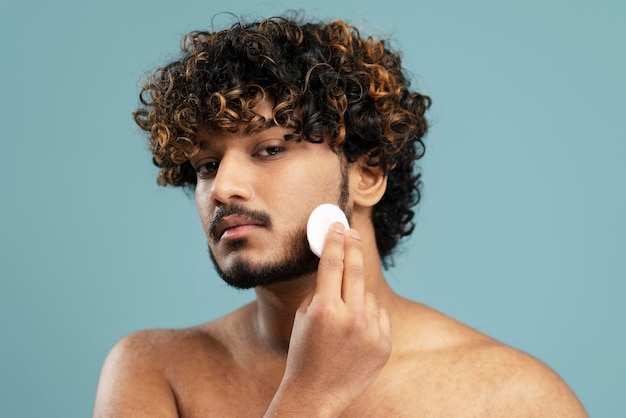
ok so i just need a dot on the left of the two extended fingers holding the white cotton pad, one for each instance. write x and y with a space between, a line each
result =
330 267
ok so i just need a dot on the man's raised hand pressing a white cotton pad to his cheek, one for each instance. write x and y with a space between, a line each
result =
341 338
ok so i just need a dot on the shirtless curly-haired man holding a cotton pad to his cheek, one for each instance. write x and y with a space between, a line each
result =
265 121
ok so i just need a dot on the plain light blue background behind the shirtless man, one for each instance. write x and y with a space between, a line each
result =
520 234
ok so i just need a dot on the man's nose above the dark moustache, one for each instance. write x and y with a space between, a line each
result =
232 182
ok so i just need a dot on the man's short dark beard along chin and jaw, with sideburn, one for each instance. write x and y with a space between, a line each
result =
298 259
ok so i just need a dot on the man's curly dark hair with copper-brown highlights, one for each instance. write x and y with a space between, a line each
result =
327 83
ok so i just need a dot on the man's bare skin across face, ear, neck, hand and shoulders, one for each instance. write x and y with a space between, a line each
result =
336 342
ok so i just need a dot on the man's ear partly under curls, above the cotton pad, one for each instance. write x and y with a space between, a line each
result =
368 184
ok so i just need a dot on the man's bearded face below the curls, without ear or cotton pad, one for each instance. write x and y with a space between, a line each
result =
254 195
